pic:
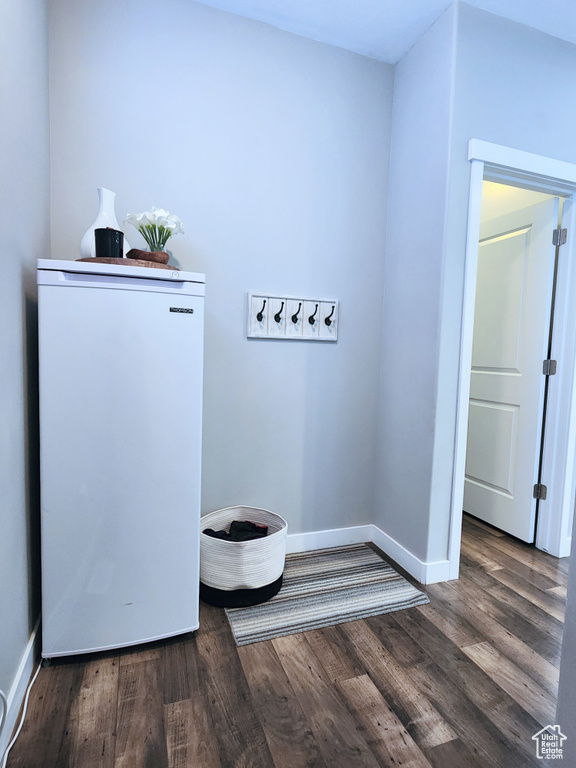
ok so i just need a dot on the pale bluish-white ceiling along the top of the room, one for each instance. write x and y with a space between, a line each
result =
386 29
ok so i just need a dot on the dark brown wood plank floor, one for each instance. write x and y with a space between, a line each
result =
465 681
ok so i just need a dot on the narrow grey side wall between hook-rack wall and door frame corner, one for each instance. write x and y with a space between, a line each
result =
413 279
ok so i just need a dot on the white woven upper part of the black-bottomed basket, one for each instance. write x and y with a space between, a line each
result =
239 565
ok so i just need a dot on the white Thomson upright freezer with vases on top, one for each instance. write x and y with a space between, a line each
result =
120 359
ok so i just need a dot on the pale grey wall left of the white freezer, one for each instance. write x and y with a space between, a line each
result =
24 236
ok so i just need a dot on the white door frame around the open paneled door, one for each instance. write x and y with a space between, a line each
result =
497 163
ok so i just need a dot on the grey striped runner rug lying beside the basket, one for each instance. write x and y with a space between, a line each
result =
322 588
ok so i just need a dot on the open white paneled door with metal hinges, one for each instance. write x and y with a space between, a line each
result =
511 327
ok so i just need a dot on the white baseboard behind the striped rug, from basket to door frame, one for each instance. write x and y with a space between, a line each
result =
424 573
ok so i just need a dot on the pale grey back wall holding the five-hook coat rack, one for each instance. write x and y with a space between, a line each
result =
273 150
